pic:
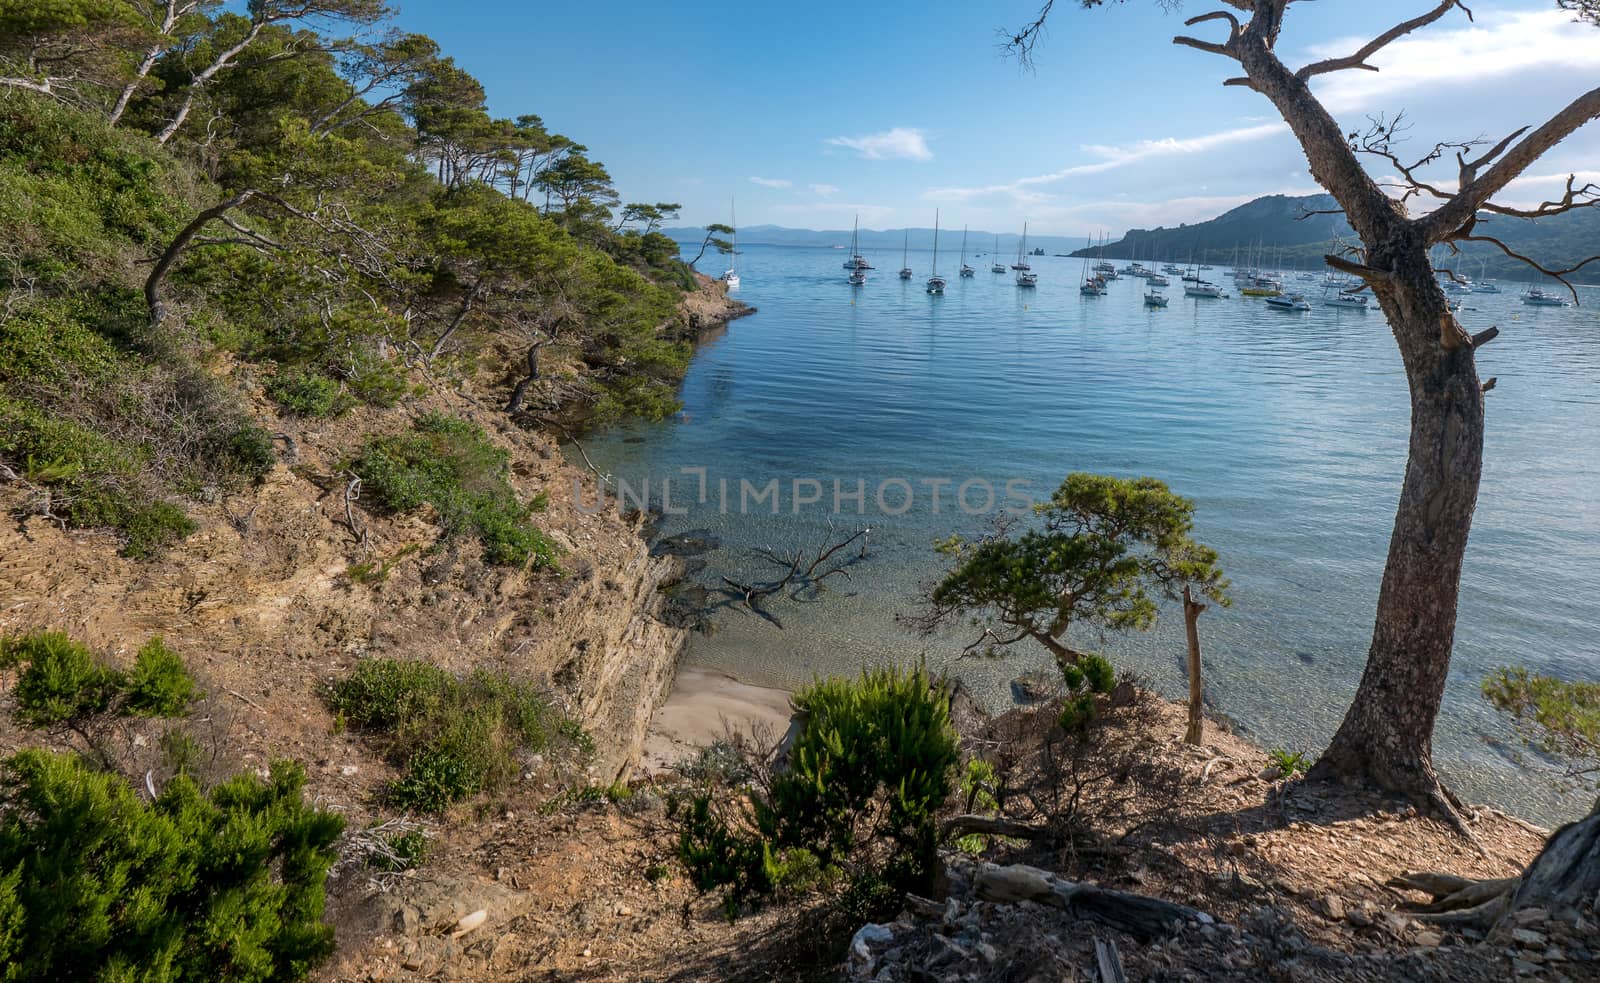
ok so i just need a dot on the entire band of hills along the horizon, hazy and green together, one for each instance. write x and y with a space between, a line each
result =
1287 230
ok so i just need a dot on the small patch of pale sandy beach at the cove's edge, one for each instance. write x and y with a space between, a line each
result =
702 708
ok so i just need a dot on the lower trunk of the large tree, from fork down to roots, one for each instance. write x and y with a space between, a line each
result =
1386 736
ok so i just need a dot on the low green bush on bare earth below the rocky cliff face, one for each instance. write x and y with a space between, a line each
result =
454 737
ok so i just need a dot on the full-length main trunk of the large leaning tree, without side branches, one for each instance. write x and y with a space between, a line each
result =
1386 736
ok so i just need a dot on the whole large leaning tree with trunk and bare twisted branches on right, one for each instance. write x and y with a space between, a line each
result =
1386 737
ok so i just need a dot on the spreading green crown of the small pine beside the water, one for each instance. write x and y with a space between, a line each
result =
1100 552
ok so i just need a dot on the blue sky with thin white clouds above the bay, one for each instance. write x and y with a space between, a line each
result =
812 113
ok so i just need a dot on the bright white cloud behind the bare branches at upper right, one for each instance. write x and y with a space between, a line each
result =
1498 46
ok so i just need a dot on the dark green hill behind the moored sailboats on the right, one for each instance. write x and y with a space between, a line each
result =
1294 236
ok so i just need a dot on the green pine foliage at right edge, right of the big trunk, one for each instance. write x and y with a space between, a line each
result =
1558 716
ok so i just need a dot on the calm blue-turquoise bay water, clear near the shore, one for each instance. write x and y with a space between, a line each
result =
1287 430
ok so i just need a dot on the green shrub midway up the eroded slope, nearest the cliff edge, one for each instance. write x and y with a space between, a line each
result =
454 467
